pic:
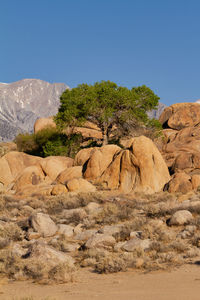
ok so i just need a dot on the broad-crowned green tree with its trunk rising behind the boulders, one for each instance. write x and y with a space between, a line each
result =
106 105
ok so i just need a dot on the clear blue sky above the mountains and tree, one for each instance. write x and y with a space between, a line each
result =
130 42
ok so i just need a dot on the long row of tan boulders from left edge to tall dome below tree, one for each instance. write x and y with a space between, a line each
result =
139 167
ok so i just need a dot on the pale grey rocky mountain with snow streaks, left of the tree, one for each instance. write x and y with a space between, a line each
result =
22 102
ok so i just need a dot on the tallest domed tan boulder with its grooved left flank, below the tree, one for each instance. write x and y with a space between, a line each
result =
141 168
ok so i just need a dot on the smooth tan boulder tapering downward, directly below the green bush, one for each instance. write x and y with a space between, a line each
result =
54 165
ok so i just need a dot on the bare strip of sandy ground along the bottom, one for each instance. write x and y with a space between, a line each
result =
179 284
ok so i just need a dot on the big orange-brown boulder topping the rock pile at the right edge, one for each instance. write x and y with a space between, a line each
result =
181 115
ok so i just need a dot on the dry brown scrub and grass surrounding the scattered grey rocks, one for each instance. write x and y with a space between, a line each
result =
170 246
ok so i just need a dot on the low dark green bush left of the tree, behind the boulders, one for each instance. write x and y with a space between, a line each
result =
49 141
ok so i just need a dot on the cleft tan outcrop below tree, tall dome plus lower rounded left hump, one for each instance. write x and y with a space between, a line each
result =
139 168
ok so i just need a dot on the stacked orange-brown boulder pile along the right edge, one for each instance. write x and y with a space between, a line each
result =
181 147
